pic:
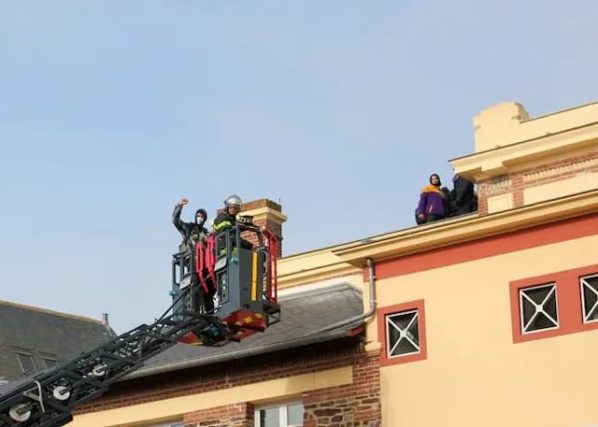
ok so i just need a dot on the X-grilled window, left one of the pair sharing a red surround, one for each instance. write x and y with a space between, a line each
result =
538 306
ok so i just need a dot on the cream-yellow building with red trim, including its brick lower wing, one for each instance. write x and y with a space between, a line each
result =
489 318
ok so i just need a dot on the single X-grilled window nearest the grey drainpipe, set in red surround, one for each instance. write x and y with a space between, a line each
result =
402 333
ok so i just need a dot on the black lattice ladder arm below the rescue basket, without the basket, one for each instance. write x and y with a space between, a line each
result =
48 398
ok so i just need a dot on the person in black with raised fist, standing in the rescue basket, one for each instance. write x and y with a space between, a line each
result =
194 233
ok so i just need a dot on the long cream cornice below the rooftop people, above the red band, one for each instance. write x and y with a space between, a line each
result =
468 228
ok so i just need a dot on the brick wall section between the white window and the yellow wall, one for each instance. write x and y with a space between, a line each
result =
355 405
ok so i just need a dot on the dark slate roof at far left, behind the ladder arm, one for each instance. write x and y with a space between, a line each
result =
42 338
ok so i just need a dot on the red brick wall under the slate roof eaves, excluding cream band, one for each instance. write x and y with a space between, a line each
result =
357 403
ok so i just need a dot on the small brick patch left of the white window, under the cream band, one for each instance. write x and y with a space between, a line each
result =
237 415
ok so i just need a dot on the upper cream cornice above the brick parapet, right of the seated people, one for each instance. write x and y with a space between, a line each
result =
491 163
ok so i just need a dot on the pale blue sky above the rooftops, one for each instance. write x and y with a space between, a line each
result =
111 111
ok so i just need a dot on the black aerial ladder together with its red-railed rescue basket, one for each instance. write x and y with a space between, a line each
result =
238 275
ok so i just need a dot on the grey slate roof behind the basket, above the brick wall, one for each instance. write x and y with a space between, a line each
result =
305 318
